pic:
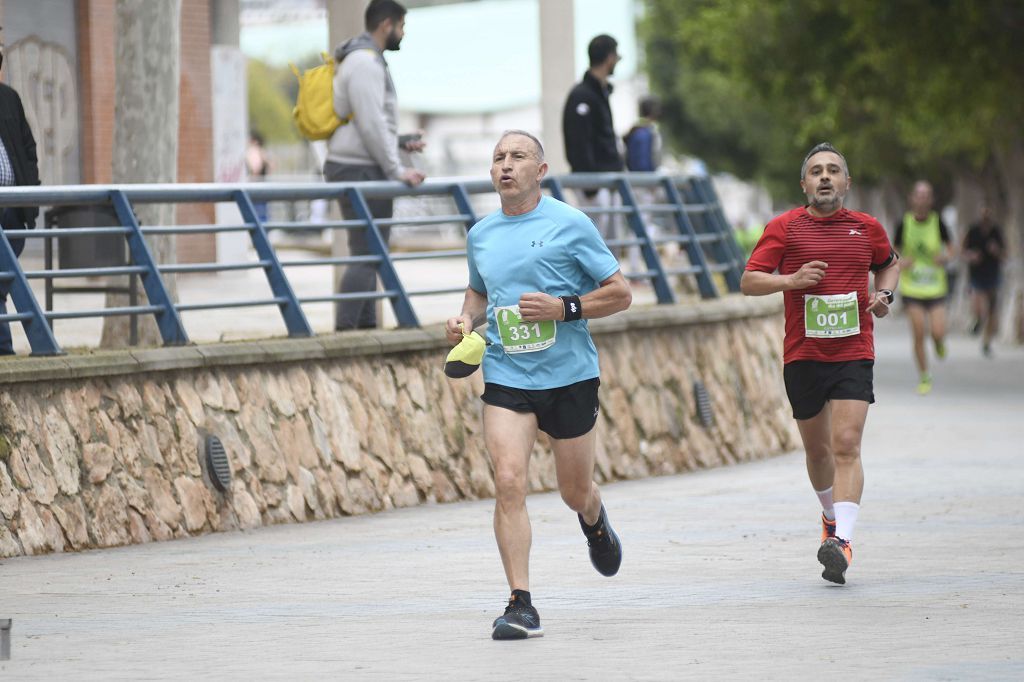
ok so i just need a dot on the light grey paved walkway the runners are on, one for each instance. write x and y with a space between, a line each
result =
719 579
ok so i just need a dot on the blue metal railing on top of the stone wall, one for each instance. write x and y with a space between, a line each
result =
689 205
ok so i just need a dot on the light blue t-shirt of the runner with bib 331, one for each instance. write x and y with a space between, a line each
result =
554 249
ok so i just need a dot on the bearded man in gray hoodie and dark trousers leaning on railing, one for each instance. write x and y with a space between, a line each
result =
366 147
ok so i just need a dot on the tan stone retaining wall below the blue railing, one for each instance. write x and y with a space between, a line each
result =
104 450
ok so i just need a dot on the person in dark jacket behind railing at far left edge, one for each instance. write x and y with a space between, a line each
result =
19 166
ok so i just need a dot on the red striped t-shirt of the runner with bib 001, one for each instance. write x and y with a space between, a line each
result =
851 243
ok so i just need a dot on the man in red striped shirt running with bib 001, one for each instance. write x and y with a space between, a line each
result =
820 258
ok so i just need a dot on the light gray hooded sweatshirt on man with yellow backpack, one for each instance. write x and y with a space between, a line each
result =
363 90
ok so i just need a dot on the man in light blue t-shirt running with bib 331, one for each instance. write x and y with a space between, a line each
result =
538 271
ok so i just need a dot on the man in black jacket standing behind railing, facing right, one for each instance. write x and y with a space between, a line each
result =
591 144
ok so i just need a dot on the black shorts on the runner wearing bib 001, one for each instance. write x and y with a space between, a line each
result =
810 385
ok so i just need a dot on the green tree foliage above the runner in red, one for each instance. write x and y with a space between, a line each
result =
905 89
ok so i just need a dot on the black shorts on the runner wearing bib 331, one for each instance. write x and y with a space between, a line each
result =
568 412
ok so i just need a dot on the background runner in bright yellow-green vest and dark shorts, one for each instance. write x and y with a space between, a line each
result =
925 247
